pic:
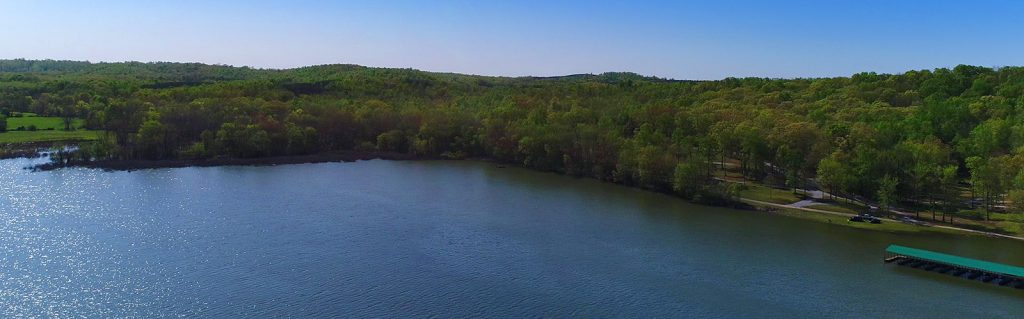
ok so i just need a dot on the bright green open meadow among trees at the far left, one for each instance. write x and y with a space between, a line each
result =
49 129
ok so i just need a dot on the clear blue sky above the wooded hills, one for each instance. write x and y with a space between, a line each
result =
685 40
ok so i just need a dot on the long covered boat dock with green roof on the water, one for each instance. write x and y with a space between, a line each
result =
958 266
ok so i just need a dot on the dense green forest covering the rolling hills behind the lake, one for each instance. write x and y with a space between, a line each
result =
917 139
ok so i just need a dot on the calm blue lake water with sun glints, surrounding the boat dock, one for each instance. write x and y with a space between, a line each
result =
442 239
